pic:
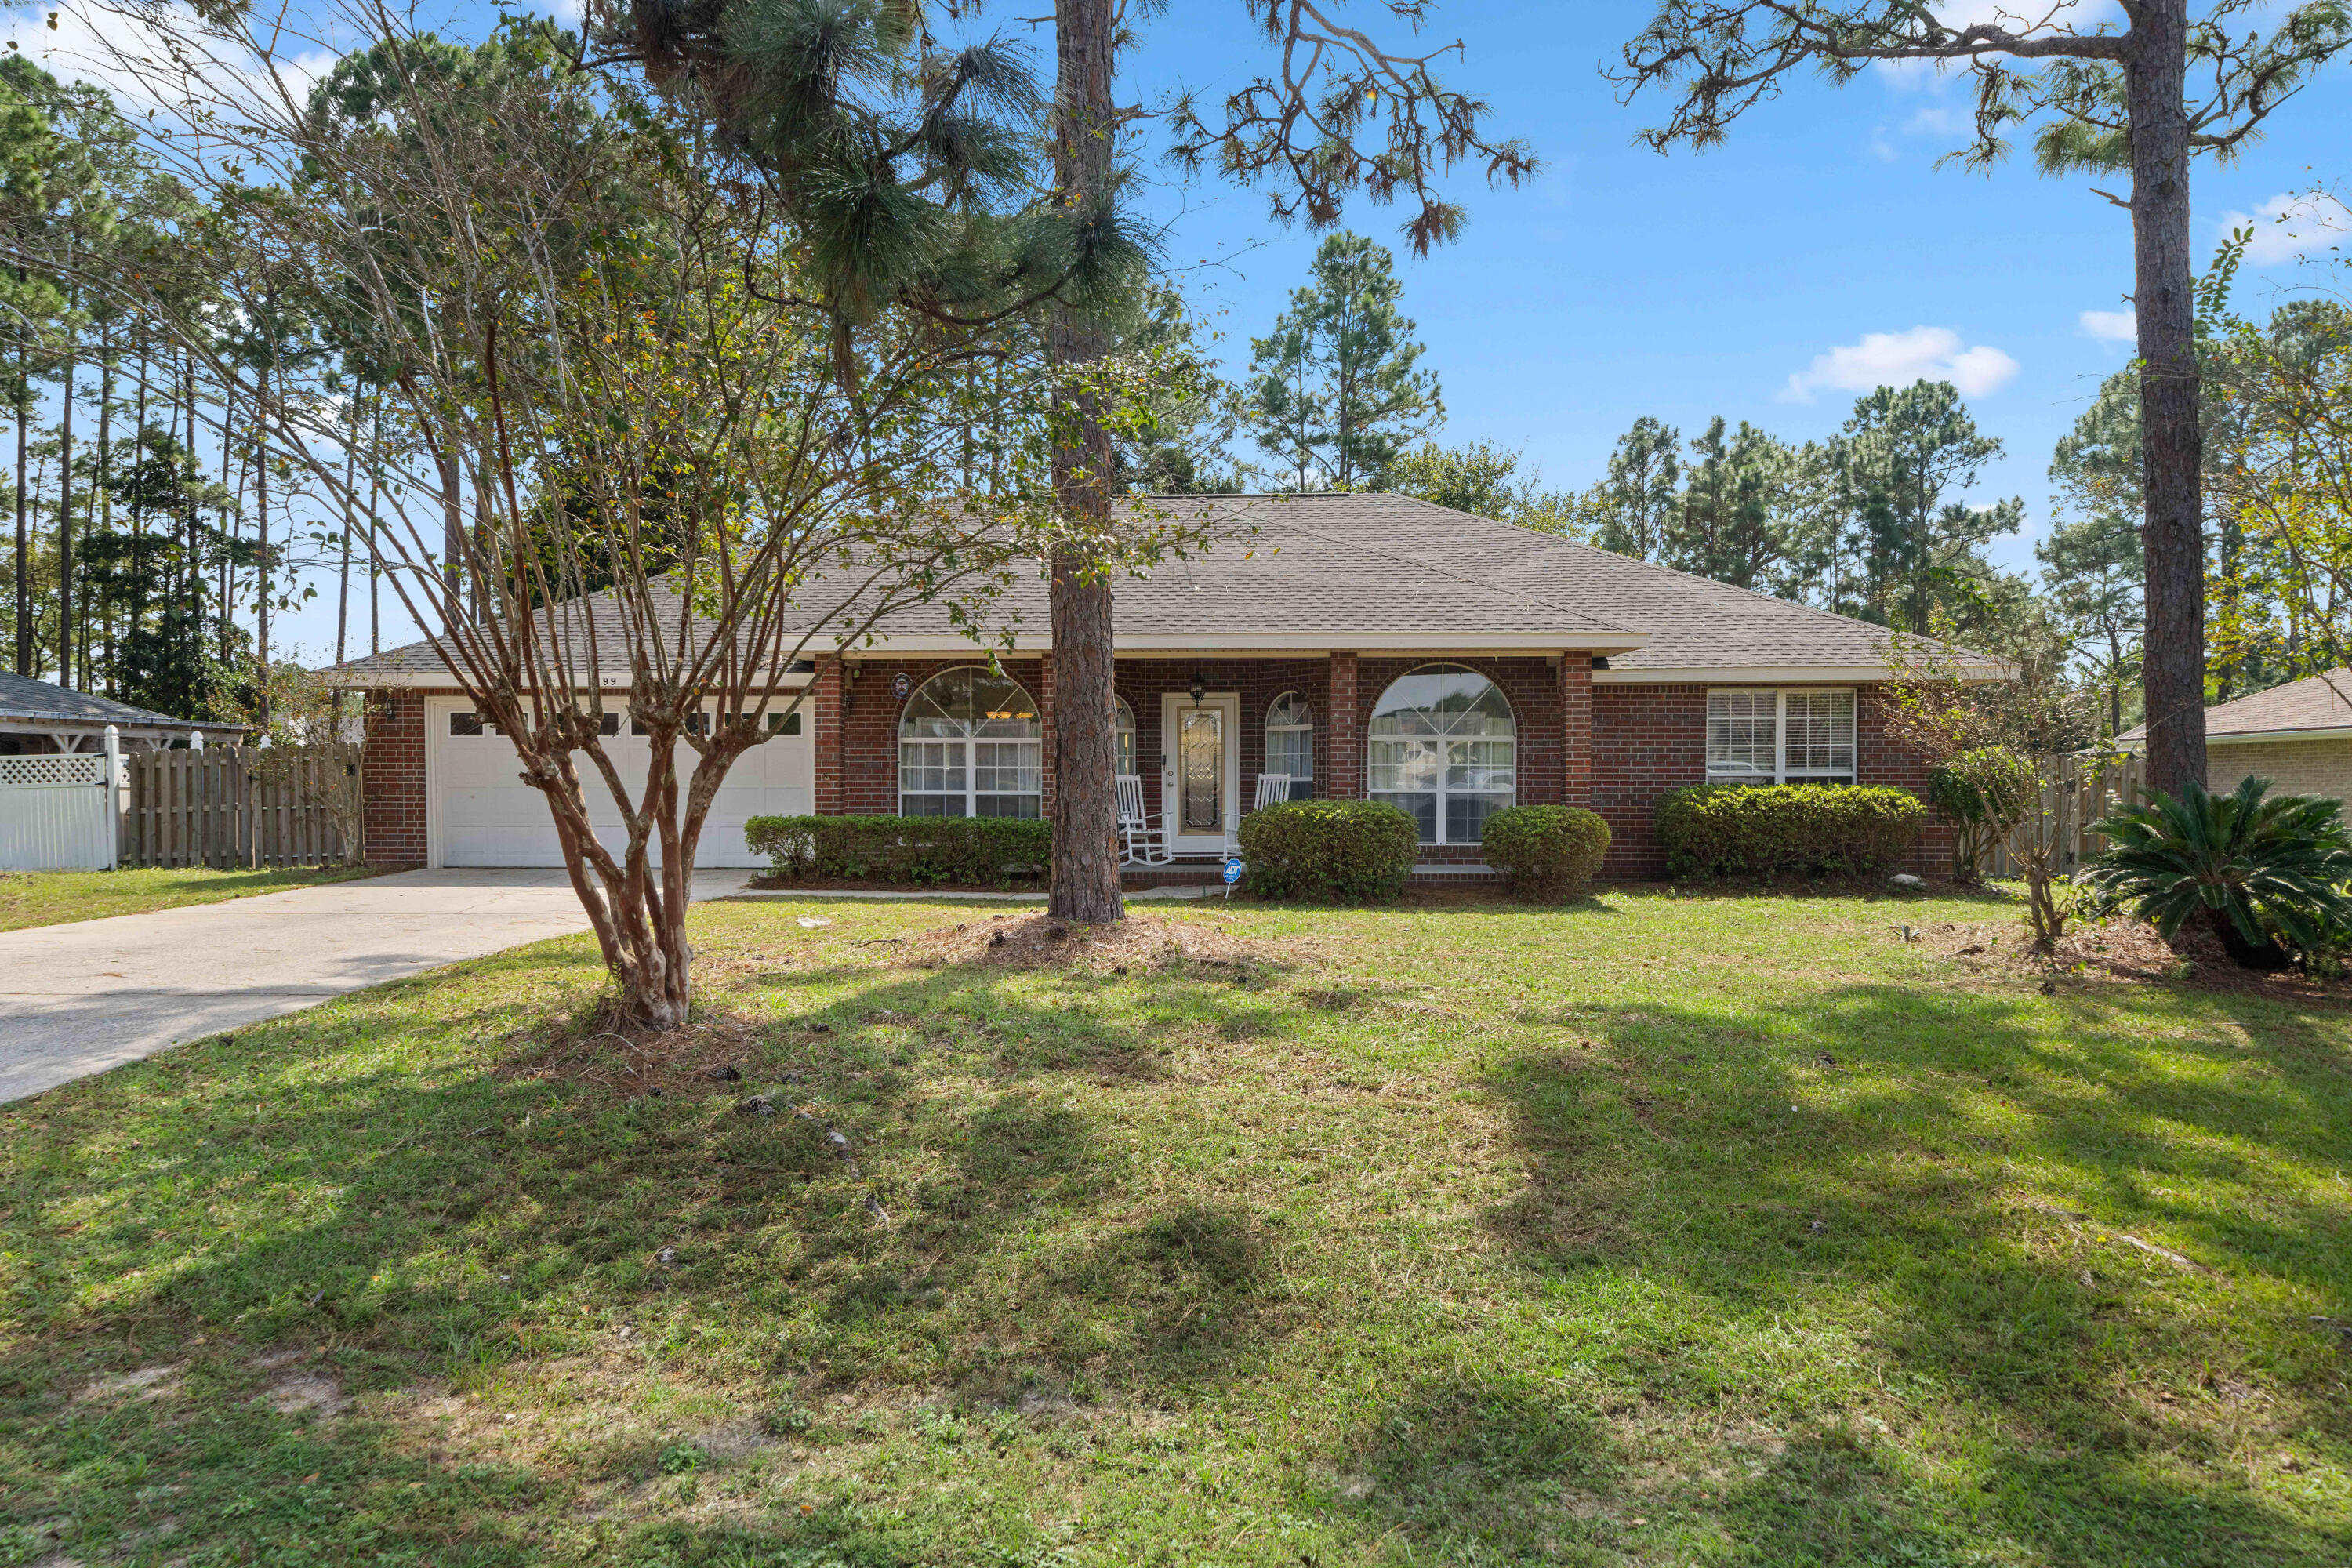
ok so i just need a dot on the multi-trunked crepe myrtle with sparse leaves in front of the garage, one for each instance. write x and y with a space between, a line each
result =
596 354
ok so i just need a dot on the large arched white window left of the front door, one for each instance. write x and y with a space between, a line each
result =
970 746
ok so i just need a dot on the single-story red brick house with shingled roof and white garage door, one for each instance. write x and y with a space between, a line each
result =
1363 645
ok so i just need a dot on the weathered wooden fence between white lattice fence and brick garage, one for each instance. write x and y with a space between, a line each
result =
220 810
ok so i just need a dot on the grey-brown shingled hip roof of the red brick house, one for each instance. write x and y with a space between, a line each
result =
1375 575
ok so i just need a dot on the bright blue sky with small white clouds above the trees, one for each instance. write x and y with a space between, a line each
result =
1768 281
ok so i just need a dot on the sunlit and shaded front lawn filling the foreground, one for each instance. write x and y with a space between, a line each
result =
1648 1231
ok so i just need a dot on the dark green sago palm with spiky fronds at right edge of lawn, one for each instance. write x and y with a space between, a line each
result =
2250 864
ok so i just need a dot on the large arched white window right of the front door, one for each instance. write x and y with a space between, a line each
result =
1445 749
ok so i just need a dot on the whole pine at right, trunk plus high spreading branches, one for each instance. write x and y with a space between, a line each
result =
2144 95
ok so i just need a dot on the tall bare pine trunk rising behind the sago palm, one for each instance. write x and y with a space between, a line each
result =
2172 443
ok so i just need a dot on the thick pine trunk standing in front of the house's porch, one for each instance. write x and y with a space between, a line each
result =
1085 883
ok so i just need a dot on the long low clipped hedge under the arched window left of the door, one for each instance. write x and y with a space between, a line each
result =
923 850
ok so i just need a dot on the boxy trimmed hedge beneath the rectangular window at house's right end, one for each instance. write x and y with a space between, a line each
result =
1763 831
